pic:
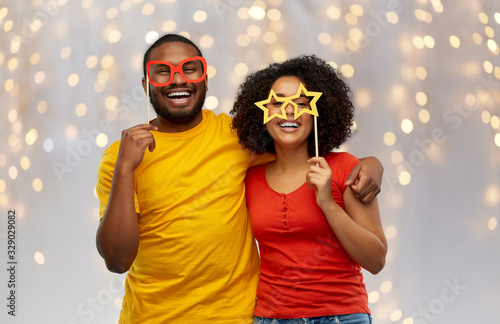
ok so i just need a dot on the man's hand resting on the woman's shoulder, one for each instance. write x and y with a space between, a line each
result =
365 179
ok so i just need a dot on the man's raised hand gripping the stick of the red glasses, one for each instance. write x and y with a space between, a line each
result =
133 145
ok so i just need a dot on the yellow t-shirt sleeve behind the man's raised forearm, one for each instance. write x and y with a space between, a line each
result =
104 180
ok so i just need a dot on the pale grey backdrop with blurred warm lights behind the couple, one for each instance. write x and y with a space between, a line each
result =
425 76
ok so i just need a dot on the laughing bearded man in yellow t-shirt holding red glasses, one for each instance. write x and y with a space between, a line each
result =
173 209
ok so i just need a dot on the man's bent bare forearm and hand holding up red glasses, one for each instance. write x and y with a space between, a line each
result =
117 237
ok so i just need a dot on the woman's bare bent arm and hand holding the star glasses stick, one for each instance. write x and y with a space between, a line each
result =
358 228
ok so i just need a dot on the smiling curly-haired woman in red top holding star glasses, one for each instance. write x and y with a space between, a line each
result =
312 242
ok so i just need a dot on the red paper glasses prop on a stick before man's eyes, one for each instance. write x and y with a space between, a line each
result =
161 73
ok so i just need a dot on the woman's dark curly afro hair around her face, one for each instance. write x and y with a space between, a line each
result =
335 108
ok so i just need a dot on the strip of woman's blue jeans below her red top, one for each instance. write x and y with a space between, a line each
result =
358 318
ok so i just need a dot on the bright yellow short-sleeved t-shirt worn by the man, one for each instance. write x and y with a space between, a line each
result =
197 260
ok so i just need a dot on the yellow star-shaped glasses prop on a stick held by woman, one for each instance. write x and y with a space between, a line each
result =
285 101
